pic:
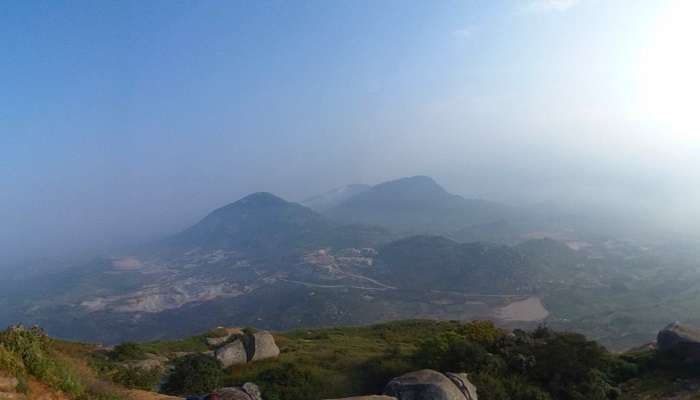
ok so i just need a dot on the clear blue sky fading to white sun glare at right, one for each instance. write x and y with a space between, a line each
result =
123 121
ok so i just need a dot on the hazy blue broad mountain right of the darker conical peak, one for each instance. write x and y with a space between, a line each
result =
416 205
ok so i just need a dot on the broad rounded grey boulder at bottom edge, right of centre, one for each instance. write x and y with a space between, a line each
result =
429 385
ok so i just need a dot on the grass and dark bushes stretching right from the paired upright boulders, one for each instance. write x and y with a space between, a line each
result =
360 360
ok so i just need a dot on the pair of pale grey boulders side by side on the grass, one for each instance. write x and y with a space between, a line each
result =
243 348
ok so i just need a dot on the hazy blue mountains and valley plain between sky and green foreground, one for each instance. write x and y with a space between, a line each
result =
273 264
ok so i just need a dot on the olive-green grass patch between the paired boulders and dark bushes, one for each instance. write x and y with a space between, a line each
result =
344 356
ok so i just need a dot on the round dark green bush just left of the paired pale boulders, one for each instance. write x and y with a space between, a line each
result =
194 374
